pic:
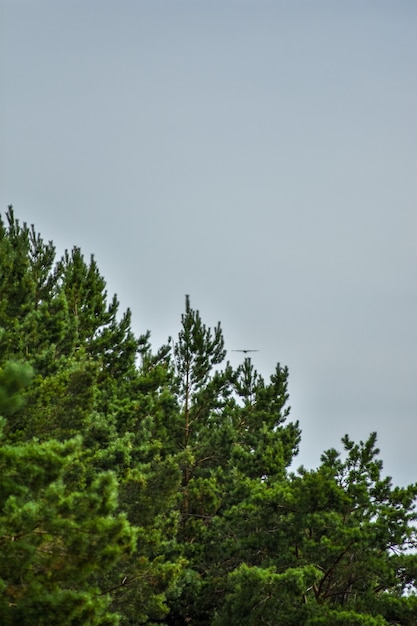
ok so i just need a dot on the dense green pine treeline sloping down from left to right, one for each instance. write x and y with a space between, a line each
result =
142 487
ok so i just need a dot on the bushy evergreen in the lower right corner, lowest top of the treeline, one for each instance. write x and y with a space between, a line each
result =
336 546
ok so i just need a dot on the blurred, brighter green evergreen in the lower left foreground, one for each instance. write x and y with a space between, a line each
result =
53 538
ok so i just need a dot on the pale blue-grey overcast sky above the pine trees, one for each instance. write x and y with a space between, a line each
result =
260 156
